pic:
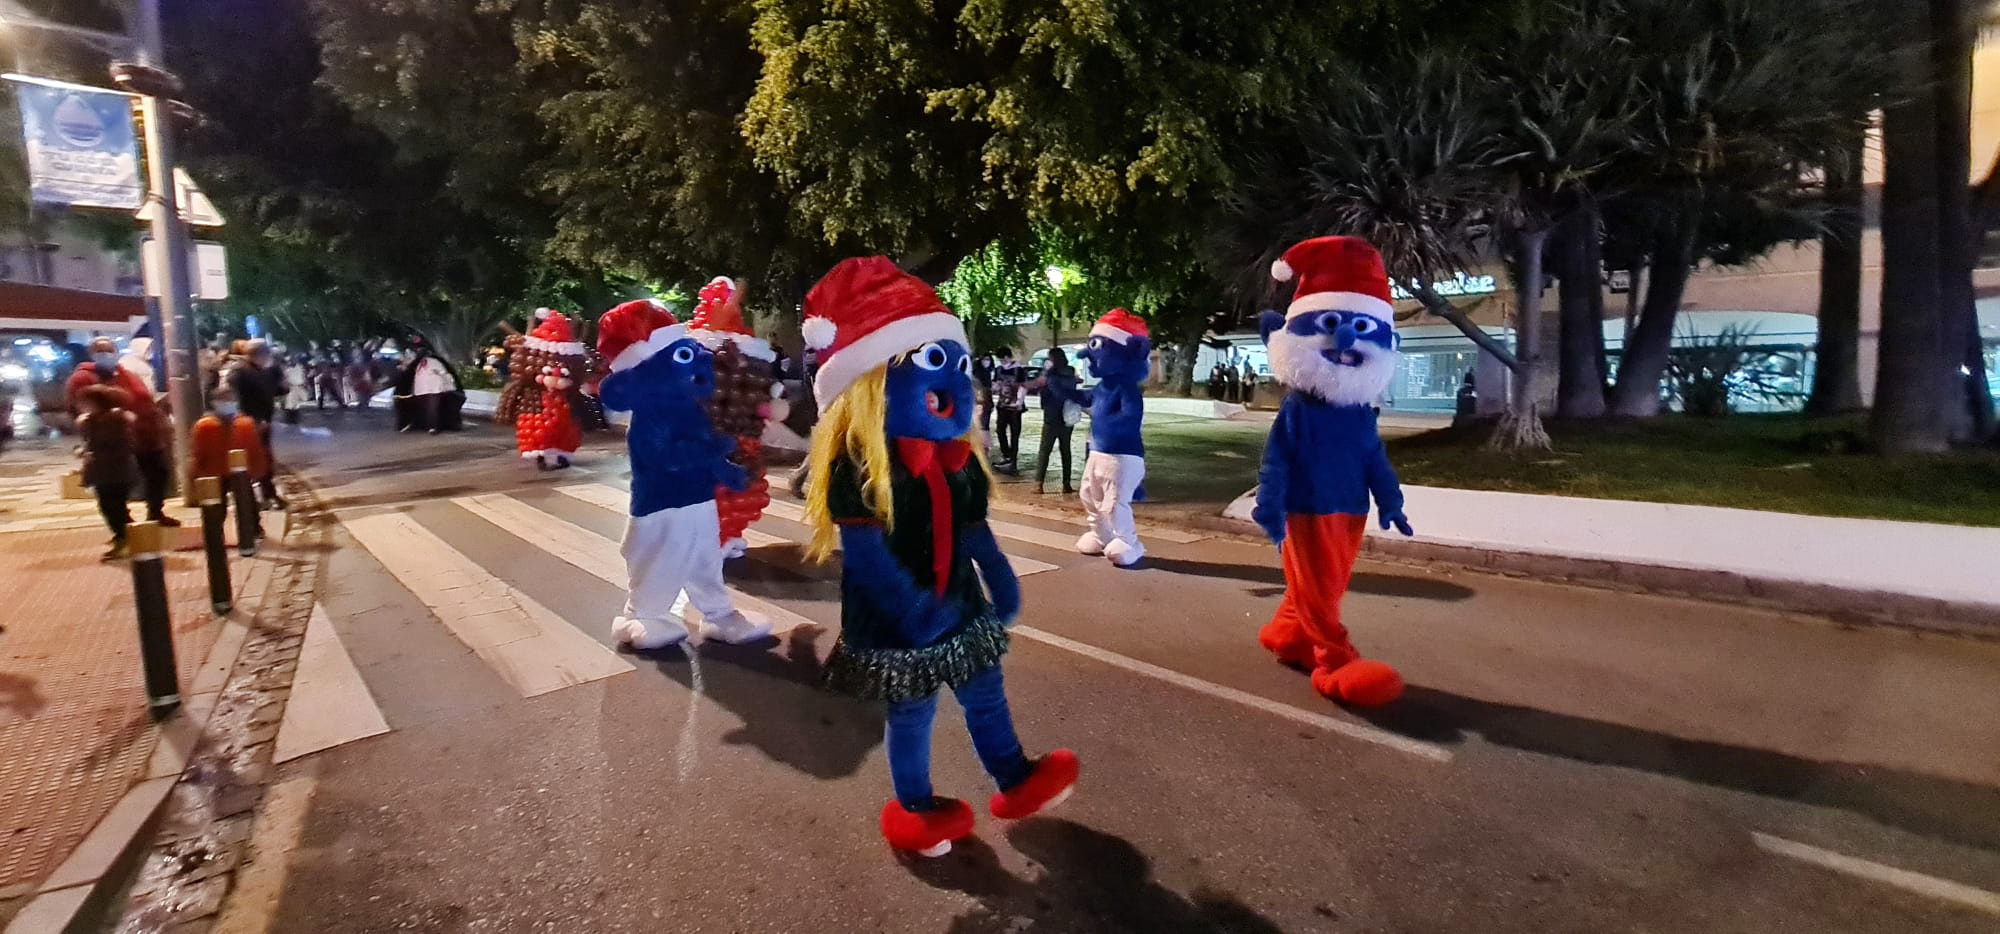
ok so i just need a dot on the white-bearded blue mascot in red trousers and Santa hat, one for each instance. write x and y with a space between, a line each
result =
1337 349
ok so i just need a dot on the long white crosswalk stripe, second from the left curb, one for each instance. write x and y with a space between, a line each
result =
525 643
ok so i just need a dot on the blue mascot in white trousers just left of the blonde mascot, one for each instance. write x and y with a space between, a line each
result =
665 379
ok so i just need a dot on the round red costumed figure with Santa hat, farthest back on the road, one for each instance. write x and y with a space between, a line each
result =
545 393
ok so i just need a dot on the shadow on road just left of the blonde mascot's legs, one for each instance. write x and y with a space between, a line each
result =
777 695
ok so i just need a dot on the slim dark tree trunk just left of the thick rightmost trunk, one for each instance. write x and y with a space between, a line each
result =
1837 381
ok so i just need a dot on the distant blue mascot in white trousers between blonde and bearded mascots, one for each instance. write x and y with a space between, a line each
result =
1115 473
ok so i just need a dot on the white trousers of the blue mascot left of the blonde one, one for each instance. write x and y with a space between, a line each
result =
675 551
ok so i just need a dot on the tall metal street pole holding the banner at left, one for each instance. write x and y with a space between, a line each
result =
171 237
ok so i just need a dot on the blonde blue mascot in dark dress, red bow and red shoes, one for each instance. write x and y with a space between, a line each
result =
897 485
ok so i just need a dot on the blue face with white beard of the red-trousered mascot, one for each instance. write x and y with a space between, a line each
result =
1347 359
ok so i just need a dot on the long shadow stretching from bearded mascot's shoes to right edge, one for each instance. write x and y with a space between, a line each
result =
1925 805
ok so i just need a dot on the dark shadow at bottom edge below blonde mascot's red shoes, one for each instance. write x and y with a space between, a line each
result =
1091 881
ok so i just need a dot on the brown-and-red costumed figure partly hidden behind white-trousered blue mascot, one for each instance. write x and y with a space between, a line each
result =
745 395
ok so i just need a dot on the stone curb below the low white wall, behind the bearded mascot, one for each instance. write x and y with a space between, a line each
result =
1849 607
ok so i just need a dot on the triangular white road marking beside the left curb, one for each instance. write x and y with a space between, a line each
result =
331 703
